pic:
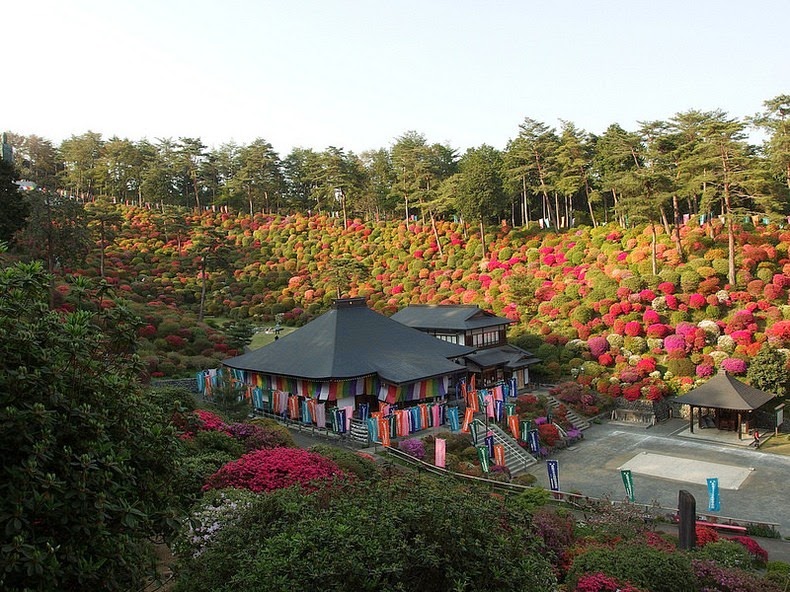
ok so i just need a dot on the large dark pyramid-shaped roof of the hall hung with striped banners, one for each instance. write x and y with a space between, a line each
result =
349 341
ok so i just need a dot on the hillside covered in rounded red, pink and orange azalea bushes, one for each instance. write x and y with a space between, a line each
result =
585 300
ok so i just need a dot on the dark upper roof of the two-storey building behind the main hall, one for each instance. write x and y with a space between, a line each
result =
448 316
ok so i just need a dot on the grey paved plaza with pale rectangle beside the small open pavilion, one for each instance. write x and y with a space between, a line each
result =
666 458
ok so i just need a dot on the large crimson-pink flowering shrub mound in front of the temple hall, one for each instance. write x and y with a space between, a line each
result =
266 470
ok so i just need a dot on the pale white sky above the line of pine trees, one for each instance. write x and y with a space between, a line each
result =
357 74
